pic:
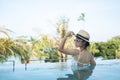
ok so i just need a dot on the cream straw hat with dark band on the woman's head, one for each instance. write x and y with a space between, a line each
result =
84 35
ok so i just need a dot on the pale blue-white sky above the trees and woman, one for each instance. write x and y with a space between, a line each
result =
35 17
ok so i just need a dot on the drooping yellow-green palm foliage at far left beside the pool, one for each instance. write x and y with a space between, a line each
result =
17 48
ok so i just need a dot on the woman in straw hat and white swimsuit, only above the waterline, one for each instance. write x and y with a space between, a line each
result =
81 56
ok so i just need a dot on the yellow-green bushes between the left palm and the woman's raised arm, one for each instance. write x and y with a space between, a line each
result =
45 47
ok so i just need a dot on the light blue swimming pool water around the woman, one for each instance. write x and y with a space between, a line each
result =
104 70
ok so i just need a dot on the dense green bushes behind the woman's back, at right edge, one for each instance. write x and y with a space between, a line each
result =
108 50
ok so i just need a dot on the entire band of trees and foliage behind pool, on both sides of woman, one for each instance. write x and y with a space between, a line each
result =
45 46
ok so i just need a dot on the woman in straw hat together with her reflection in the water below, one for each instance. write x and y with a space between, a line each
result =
83 59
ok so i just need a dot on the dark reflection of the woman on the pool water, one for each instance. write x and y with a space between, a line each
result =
79 74
